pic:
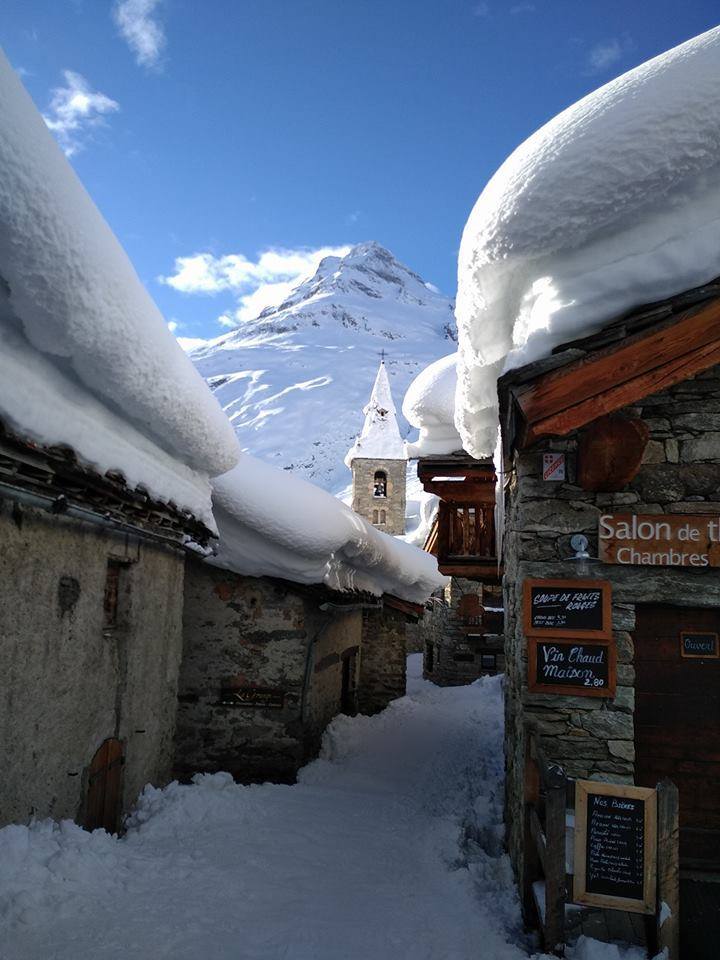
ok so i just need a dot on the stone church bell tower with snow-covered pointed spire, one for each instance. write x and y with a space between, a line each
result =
378 462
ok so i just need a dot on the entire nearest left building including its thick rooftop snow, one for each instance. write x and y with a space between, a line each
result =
108 439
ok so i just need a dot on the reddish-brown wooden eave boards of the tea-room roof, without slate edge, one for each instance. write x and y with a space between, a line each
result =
562 400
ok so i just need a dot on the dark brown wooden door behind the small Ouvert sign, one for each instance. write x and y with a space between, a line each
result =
677 723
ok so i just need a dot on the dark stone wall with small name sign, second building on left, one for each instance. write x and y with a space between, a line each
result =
254 632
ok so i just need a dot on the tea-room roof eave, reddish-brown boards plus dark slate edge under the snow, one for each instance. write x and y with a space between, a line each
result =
641 354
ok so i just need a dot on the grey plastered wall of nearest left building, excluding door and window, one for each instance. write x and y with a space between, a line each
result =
69 680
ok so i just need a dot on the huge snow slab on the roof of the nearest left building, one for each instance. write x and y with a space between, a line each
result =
87 359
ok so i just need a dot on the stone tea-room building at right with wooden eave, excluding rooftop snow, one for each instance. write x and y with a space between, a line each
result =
630 421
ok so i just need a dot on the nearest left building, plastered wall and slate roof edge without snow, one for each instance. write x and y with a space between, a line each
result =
91 589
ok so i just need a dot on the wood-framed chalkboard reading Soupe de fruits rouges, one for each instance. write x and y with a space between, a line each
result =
573 608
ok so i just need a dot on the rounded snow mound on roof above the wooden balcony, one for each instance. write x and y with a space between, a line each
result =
429 405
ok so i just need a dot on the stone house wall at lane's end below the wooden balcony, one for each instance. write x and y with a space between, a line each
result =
453 648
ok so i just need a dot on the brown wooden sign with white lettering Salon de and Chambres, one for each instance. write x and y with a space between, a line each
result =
660 540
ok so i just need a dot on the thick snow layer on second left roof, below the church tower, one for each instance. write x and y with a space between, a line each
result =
272 523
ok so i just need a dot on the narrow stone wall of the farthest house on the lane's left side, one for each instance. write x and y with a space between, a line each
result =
383 665
